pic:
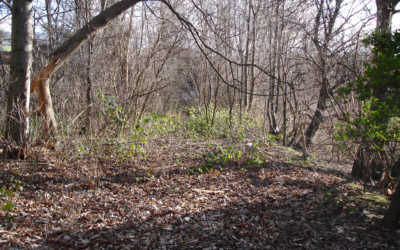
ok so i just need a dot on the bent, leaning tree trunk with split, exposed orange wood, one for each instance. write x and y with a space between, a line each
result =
40 82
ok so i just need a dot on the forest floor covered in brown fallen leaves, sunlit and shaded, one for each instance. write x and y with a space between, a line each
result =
188 194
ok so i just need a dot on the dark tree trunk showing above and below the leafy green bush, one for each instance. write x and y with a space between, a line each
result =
364 165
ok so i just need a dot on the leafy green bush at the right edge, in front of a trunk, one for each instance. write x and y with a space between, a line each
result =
379 90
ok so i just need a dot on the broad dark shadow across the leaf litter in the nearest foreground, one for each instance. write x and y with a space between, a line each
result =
309 221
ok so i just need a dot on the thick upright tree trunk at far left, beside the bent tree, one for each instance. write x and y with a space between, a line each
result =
17 124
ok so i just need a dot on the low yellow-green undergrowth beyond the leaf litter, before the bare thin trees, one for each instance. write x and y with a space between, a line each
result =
129 140
